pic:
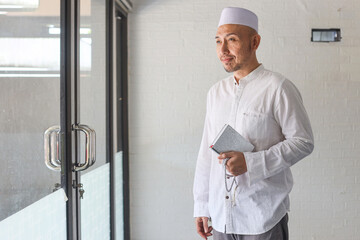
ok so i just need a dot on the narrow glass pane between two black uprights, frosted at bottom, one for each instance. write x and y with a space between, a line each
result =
95 205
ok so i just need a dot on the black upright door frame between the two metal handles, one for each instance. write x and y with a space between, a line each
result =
68 75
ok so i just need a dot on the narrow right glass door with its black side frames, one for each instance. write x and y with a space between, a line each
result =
93 202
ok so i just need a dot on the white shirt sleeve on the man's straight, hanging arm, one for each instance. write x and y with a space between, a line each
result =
202 172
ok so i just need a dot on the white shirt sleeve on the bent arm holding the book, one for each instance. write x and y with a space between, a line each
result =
298 141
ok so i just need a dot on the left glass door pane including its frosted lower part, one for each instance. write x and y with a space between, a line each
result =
31 194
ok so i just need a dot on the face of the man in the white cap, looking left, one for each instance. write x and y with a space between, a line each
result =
233 46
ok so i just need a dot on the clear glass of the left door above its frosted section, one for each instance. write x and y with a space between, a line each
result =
29 101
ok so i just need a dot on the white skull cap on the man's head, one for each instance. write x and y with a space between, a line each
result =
241 16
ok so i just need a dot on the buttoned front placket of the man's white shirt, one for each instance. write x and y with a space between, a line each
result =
232 121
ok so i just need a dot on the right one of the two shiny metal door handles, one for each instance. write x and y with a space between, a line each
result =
90 146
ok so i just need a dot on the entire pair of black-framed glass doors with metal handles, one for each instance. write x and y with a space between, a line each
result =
57 160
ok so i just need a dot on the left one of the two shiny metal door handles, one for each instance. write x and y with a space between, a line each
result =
51 148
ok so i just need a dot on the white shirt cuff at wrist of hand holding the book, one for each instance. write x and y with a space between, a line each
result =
255 162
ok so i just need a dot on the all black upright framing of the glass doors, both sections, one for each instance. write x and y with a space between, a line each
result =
69 108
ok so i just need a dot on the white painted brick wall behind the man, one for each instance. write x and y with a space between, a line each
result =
172 66
